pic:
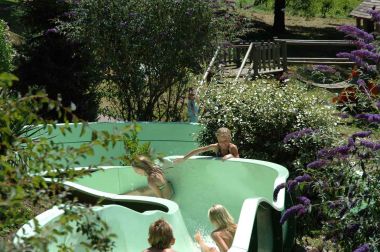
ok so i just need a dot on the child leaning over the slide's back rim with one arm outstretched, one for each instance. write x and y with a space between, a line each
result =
223 148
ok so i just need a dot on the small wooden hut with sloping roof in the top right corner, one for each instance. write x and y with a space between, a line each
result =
363 18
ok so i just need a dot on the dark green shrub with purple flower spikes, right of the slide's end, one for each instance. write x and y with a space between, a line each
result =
343 192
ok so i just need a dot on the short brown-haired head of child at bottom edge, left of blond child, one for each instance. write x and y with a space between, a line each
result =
161 235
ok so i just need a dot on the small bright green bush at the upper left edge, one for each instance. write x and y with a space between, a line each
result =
6 50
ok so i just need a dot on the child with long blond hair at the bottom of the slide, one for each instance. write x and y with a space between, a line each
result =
224 233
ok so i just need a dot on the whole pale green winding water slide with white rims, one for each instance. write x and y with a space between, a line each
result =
244 186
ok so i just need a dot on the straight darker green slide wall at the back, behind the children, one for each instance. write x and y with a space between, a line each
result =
165 138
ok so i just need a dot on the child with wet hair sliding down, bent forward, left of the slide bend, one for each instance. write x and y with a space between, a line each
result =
157 184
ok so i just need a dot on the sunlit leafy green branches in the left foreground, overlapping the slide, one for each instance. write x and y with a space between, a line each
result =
27 153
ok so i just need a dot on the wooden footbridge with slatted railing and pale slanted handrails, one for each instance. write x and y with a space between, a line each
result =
252 59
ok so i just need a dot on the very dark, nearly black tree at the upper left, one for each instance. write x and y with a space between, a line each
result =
49 61
